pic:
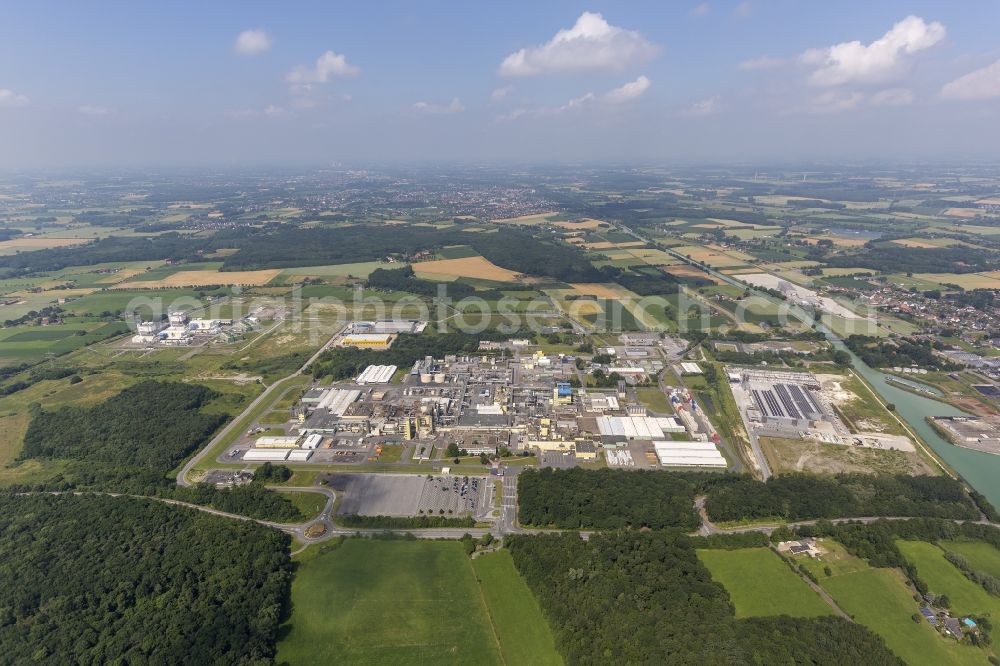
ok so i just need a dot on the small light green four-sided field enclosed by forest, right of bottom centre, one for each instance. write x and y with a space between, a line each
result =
760 584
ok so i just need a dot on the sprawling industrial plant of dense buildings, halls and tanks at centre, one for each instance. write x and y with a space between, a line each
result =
510 400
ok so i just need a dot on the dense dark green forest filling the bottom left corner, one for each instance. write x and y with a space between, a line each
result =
103 580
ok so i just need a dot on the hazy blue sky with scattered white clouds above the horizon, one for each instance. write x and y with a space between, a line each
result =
144 83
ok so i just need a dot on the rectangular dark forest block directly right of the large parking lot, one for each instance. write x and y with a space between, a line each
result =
606 499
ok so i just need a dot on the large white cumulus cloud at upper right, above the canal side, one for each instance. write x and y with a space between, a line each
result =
854 62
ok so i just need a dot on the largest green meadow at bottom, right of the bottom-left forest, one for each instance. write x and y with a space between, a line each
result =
388 602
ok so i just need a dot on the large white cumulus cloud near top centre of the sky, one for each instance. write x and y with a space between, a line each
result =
591 44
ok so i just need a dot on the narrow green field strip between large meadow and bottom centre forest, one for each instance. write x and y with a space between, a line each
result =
525 636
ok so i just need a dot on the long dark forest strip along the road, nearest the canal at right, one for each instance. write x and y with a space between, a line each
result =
800 496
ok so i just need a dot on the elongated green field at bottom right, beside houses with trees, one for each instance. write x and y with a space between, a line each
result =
881 600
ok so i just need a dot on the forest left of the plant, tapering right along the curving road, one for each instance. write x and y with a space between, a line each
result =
134 440
